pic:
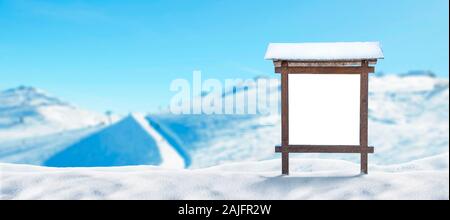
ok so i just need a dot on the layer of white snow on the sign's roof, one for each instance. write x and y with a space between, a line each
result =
324 51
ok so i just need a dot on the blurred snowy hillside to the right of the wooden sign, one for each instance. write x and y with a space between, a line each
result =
408 117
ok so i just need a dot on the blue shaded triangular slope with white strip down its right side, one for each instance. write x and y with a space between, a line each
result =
129 142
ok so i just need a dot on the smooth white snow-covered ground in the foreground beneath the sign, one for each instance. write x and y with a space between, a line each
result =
311 179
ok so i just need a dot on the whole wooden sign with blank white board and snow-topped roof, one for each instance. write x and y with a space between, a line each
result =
324 93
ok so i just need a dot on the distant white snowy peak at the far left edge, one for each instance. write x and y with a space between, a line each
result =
26 111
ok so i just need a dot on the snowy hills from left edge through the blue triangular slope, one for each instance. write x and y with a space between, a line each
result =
36 128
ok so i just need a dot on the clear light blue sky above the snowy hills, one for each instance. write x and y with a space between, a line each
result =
122 55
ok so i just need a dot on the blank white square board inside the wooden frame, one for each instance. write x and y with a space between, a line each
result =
324 109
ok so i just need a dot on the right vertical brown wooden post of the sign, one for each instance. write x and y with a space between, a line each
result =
363 119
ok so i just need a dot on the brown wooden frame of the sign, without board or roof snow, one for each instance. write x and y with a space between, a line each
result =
361 67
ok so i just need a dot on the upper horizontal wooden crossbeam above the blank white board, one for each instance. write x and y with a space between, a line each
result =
325 70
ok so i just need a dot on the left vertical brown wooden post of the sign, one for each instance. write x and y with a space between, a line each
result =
284 118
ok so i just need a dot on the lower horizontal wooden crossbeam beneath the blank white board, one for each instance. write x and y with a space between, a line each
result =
324 149
